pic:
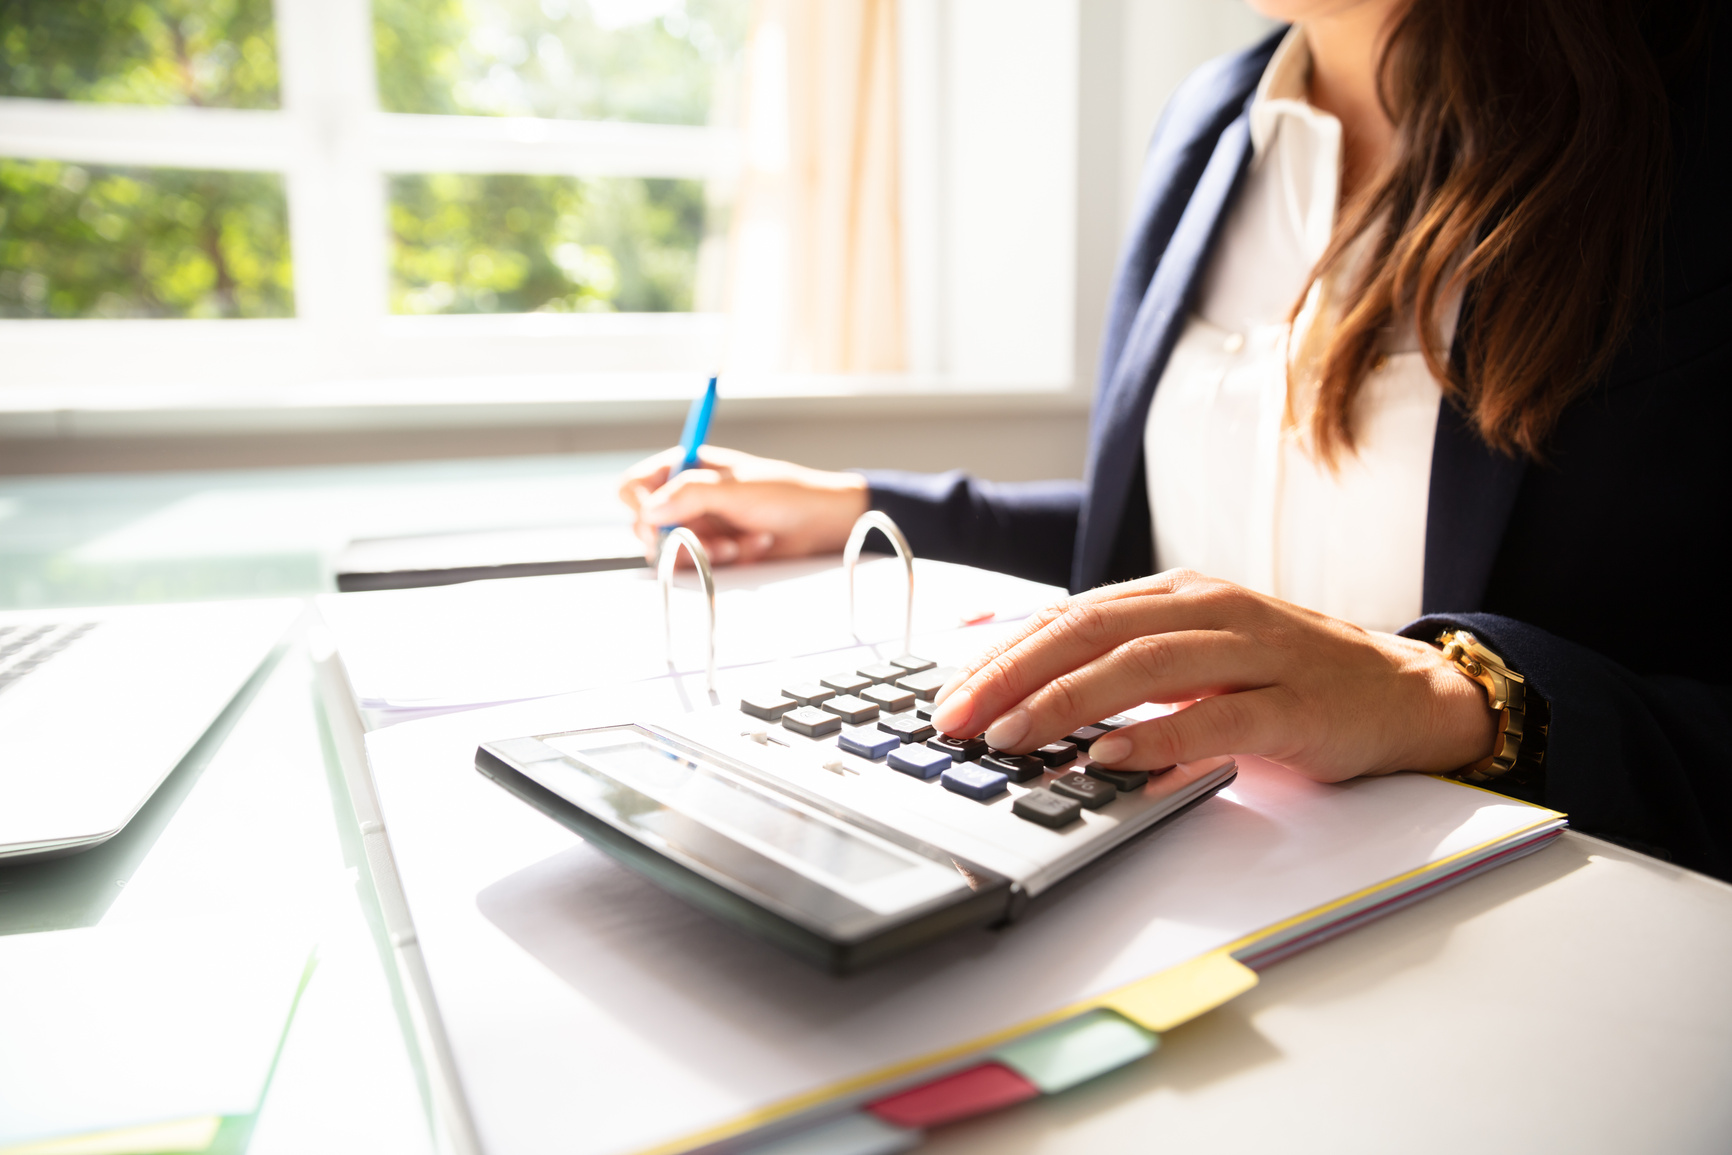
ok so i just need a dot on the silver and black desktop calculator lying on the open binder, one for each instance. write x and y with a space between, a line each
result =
824 813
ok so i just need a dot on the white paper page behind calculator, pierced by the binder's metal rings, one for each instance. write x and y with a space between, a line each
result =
482 643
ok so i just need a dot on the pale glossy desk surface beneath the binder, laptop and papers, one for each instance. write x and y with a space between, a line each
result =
1572 1002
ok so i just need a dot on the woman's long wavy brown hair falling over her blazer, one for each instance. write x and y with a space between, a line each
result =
1530 169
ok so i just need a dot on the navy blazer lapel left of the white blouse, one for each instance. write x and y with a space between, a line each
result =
1121 411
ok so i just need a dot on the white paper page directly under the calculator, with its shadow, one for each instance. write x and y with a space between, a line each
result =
591 1012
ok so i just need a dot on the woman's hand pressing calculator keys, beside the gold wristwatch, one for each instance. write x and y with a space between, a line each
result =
1260 676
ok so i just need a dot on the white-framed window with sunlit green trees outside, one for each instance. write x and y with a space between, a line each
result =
332 167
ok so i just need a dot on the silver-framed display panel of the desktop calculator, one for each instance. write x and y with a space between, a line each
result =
701 810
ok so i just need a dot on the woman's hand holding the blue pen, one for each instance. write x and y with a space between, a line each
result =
744 508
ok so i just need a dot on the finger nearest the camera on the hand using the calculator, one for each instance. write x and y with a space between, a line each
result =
1255 721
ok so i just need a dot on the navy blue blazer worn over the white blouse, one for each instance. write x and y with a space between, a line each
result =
1594 572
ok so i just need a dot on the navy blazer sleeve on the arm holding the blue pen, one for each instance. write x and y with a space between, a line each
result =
1026 529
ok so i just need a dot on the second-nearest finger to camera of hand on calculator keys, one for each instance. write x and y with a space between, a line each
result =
1154 668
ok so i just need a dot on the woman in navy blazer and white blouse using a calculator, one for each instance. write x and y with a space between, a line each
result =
1425 328
